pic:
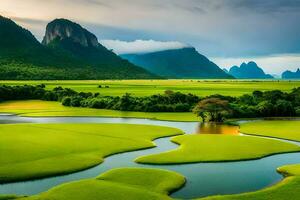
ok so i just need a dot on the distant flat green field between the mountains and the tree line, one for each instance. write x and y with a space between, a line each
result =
149 87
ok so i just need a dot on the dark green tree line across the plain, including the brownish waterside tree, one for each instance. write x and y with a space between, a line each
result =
273 103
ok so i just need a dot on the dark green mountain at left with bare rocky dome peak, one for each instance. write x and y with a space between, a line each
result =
68 52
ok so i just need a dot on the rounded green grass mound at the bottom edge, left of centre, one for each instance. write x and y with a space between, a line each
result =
123 183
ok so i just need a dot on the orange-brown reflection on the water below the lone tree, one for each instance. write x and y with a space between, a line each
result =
217 128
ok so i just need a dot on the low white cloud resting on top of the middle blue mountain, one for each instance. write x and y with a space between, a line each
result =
140 46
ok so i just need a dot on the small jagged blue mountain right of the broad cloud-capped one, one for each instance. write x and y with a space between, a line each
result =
249 71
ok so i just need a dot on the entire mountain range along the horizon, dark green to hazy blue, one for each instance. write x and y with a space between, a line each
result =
68 51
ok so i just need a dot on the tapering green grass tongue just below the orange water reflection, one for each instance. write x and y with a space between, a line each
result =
208 148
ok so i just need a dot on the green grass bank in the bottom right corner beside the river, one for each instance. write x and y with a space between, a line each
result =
287 189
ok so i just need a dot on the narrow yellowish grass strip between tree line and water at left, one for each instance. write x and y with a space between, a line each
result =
36 108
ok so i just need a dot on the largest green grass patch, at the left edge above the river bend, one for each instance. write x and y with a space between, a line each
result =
52 149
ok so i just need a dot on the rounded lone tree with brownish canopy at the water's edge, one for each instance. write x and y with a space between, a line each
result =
212 109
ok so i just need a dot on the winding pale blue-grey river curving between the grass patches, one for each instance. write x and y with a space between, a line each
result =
203 179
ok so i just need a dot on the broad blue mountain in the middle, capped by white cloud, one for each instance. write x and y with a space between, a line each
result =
177 63
